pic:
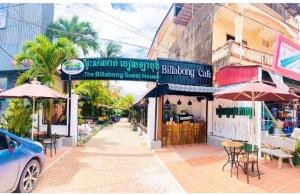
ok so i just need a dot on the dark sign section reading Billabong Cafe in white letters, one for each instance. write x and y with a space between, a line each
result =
182 72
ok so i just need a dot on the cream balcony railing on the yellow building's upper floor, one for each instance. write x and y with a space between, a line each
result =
230 53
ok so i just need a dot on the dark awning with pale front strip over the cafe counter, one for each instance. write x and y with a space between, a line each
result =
184 90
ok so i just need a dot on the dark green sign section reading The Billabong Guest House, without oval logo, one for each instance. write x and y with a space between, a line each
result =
117 69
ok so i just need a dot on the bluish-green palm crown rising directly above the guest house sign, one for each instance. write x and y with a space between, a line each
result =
80 33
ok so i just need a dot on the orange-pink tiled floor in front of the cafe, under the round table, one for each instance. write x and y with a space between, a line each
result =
198 168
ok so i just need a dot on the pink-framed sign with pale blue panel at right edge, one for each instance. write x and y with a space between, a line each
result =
286 60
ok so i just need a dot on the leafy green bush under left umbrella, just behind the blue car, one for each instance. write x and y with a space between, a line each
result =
17 117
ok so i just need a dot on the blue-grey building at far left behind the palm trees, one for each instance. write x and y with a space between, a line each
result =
19 23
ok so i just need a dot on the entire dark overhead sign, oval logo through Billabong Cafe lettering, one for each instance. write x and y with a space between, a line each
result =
161 70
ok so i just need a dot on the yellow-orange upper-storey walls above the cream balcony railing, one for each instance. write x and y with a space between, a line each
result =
253 32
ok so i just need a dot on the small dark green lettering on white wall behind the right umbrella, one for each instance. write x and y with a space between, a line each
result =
234 111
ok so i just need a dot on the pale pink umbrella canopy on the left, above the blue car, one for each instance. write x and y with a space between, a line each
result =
32 90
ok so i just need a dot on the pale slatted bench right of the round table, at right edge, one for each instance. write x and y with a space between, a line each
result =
277 144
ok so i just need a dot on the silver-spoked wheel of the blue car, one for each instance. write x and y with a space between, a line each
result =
29 177
